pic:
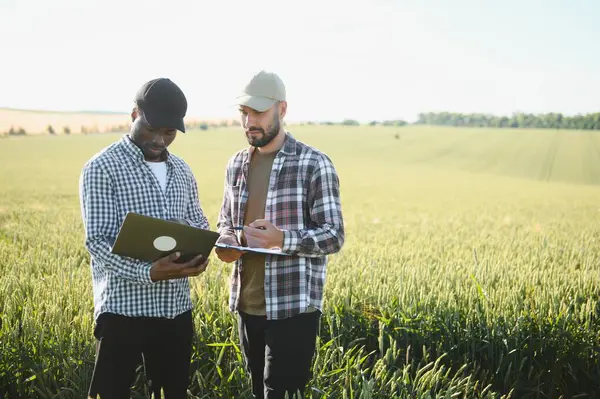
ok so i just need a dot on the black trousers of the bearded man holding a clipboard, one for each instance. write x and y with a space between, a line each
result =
278 353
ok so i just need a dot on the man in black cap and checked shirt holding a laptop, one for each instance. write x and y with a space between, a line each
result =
142 310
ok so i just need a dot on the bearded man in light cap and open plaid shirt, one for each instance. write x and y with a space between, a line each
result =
286 195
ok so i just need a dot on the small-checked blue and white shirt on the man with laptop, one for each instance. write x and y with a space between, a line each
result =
117 181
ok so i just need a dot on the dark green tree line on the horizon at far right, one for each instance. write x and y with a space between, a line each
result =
517 120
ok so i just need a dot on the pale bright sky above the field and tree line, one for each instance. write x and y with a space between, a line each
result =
364 60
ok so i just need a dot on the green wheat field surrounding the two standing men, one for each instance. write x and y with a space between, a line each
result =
470 267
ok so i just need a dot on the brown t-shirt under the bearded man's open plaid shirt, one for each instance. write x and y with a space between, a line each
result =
252 294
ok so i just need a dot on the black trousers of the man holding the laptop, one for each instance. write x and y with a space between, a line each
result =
162 345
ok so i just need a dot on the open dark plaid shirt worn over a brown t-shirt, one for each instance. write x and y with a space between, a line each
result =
303 200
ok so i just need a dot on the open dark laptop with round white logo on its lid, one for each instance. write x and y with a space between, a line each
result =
149 239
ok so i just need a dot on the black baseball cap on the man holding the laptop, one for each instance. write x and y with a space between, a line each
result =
163 104
